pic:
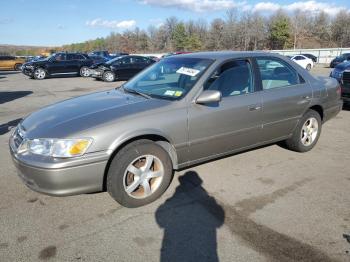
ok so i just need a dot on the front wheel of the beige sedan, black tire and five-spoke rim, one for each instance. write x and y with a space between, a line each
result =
139 174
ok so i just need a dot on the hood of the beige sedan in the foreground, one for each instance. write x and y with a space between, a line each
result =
75 116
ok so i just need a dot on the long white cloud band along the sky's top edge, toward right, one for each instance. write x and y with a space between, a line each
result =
217 5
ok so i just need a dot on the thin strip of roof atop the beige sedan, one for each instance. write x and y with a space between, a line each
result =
224 55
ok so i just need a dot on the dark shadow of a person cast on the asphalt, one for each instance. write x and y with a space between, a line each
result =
190 219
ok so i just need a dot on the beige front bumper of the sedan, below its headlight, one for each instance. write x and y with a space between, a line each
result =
63 179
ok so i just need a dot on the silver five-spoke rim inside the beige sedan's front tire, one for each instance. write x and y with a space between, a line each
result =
143 176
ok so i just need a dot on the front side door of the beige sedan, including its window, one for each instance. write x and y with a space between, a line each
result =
233 123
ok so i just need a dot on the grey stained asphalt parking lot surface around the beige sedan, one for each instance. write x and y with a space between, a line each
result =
268 204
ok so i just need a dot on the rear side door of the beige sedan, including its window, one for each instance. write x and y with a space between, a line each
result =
285 97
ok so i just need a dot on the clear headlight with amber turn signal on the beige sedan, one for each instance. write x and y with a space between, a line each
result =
61 148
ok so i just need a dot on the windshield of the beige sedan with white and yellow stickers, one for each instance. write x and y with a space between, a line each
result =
171 78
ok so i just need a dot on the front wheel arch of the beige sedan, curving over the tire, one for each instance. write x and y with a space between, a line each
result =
156 137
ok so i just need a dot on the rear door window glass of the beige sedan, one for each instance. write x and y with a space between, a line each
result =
276 73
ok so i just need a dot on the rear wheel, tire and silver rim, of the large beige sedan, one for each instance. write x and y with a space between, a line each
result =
307 132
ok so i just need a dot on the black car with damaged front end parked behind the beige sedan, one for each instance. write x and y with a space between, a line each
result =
121 68
